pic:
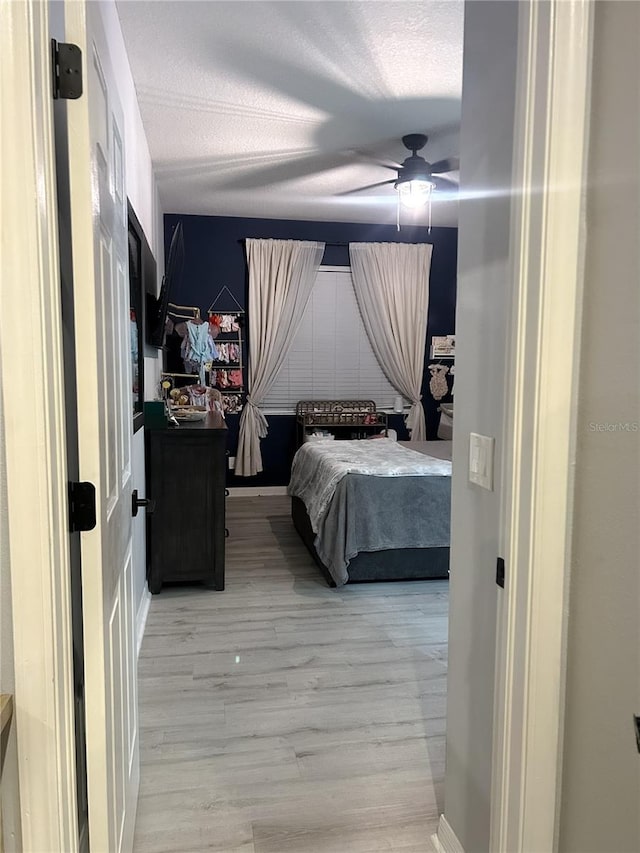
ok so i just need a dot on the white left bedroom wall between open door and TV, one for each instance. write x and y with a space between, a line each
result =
143 194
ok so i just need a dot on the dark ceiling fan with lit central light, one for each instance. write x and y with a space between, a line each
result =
416 179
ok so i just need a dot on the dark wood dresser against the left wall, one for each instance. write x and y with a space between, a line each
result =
186 473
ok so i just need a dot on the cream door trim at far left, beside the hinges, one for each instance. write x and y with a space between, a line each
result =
35 436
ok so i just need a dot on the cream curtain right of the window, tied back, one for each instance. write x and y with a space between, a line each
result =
391 281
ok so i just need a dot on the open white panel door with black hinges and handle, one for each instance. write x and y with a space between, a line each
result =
101 296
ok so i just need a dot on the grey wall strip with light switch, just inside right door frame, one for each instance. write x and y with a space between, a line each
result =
490 45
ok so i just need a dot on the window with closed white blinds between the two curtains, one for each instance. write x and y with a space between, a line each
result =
331 357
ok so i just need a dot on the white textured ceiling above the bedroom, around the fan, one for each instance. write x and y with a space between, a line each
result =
265 108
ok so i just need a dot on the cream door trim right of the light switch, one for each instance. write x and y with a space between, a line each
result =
550 151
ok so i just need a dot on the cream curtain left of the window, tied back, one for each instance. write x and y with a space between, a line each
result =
281 277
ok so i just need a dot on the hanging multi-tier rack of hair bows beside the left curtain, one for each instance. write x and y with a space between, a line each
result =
226 317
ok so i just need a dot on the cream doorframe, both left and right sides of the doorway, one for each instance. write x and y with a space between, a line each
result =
551 134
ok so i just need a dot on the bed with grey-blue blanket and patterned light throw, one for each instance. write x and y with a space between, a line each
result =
374 510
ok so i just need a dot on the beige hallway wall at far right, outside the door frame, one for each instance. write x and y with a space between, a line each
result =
600 806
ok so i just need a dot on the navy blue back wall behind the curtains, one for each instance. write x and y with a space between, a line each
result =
214 257
